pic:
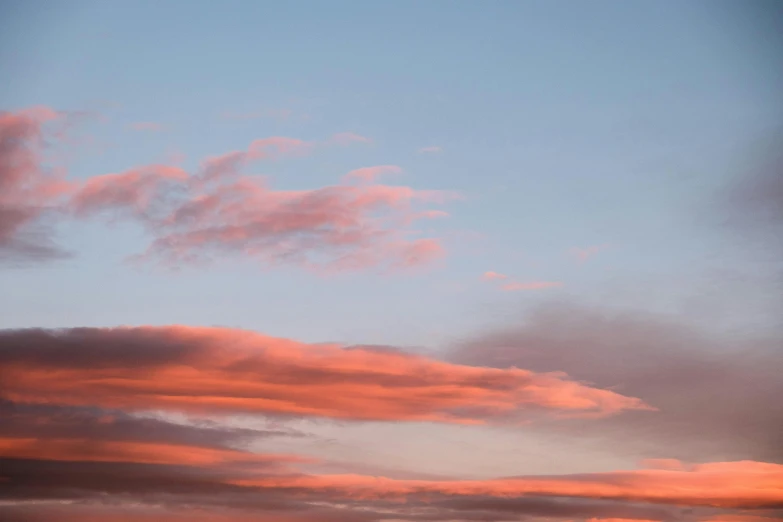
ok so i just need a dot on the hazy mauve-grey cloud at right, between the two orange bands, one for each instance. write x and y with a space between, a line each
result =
718 399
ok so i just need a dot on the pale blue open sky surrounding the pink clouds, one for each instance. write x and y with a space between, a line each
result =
563 124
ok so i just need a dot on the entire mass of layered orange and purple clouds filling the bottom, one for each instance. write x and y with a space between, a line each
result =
78 441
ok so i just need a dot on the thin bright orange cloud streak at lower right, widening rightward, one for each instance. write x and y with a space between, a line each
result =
744 484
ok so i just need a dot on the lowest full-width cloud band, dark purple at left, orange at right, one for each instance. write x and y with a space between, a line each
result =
717 488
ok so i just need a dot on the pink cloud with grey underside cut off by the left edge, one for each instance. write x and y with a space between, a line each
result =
29 187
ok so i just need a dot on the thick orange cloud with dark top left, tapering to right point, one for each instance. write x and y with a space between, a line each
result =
222 370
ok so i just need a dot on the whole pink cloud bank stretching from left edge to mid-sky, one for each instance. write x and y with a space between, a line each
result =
217 210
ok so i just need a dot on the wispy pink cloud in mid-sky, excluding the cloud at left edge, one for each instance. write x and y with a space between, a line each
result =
218 211
